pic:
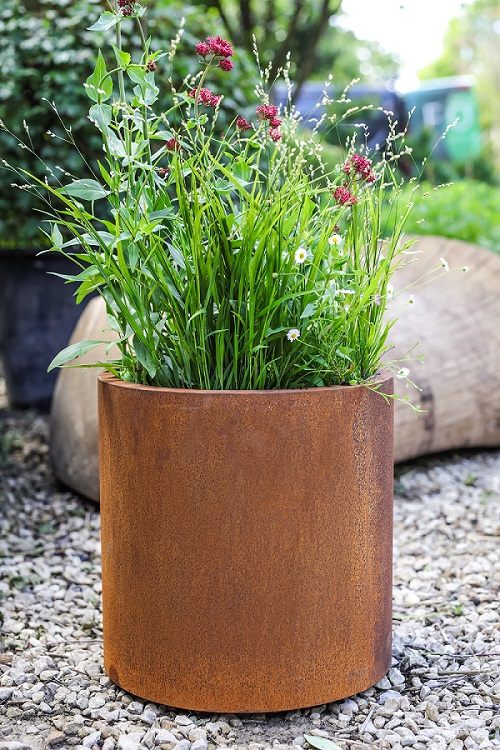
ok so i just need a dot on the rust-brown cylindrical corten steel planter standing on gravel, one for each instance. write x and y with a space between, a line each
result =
246 543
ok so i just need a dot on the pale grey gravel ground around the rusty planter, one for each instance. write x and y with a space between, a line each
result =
443 690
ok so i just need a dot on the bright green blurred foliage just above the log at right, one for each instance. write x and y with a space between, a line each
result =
467 210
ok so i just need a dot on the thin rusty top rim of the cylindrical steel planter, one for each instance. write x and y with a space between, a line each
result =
382 378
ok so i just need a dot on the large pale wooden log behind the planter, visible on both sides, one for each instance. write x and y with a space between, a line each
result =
453 320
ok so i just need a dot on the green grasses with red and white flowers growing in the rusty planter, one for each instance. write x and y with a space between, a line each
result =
228 259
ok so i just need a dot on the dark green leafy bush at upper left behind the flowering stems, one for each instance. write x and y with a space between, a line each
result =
46 54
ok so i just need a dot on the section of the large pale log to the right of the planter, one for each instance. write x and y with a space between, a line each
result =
454 320
